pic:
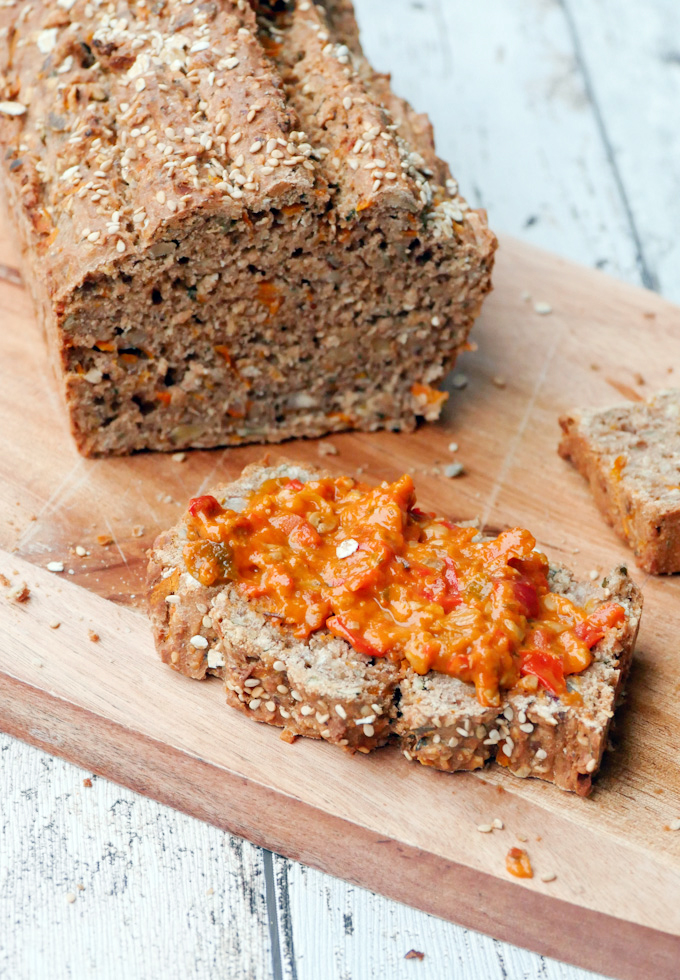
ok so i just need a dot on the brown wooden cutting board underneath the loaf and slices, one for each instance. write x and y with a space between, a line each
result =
396 828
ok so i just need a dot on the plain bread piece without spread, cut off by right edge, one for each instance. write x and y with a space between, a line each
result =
630 456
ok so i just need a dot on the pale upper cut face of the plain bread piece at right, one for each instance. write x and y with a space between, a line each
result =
640 442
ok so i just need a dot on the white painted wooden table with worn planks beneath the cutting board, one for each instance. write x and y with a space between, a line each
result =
560 117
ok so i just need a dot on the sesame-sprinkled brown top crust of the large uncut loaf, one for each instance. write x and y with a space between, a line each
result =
119 119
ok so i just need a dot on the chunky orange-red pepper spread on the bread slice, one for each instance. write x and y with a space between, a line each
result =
368 565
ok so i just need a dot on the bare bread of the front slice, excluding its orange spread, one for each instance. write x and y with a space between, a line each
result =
325 689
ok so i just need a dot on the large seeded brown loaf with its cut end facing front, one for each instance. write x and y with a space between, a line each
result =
233 230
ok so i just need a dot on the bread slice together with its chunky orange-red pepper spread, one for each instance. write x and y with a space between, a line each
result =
341 611
